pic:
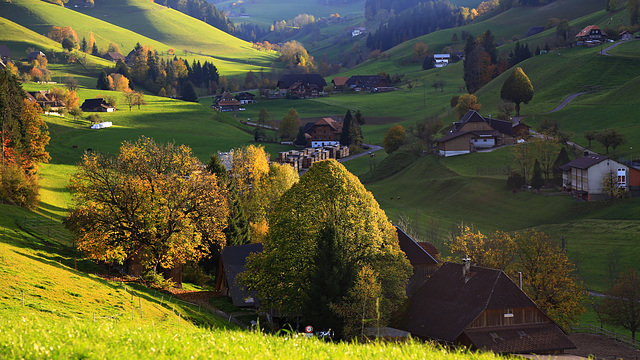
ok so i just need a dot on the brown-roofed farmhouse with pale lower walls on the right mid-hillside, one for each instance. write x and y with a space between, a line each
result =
474 132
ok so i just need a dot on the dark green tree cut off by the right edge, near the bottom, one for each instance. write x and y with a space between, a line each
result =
622 305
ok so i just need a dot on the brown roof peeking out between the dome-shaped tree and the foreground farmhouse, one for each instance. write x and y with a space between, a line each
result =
422 257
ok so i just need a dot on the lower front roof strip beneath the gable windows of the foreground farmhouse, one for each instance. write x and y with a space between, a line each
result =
534 338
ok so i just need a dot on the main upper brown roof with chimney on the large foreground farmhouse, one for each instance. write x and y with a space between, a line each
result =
449 302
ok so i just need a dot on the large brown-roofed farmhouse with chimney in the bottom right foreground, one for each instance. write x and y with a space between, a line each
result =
482 309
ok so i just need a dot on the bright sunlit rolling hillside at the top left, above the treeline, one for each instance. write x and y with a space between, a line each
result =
161 28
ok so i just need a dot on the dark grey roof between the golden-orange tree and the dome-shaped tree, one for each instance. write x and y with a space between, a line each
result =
234 259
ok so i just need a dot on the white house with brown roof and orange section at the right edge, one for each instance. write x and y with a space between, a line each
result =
583 177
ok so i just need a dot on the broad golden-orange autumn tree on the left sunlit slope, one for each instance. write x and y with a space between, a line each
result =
151 201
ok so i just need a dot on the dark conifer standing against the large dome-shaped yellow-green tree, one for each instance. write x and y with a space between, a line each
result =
330 282
